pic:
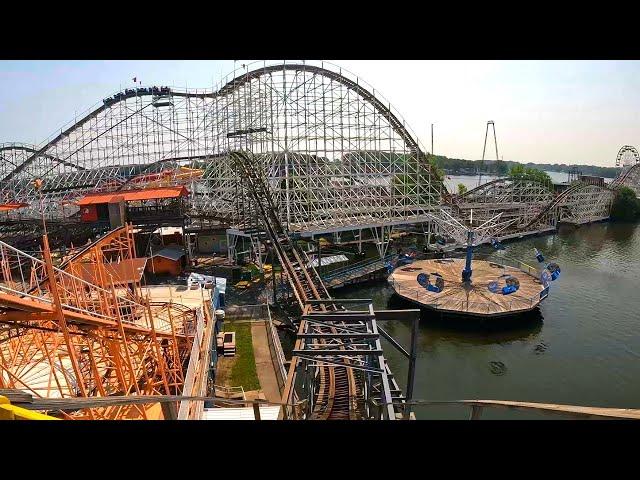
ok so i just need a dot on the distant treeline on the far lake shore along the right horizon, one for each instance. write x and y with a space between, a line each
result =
459 166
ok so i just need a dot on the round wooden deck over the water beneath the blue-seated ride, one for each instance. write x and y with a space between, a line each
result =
475 299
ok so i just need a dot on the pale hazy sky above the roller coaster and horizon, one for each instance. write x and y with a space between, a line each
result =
544 111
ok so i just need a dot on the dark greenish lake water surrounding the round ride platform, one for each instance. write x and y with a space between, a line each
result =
582 347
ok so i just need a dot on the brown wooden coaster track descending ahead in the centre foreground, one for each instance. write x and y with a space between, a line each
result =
334 346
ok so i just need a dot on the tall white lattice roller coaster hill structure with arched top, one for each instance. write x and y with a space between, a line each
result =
336 154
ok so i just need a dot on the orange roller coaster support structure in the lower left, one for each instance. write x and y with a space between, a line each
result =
62 336
